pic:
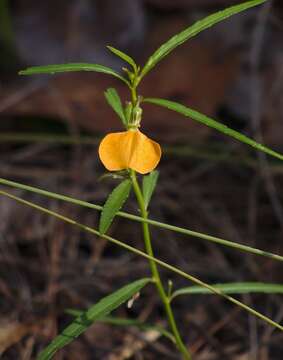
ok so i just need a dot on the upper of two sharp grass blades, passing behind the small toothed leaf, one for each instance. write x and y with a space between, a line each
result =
177 229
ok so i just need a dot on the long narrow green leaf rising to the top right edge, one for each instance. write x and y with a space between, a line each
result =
193 30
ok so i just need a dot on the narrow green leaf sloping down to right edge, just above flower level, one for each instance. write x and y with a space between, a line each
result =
213 124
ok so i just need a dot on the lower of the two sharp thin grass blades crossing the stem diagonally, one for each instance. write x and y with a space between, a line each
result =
146 256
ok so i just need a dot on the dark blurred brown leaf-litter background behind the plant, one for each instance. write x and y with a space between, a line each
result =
50 127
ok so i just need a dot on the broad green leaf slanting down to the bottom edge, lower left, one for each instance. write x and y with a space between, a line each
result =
94 313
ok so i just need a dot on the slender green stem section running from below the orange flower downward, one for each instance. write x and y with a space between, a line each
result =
154 270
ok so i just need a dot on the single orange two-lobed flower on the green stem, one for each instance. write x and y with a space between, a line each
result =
129 149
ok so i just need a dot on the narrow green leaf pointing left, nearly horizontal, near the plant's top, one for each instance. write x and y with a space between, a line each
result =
52 69
